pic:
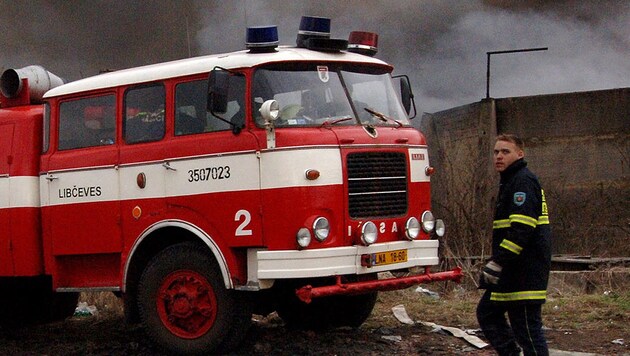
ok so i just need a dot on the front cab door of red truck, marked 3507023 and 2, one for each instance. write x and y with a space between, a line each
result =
217 176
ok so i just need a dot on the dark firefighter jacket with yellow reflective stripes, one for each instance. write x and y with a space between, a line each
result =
521 238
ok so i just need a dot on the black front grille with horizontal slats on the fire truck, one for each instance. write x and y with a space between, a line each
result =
377 184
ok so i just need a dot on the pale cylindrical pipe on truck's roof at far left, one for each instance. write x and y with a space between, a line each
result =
39 82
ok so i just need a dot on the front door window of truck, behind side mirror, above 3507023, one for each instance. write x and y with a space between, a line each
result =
191 116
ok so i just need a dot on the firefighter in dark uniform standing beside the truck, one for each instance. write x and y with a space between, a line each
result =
516 276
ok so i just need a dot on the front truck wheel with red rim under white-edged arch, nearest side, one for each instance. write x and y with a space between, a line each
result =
184 305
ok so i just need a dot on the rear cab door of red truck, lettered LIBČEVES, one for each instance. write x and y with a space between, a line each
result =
82 215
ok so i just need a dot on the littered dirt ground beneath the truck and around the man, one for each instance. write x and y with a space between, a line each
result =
582 323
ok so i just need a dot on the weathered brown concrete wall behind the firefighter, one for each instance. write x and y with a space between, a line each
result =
579 146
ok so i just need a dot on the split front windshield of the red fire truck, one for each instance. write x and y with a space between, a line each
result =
335 94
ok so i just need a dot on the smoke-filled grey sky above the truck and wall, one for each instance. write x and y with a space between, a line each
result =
441 45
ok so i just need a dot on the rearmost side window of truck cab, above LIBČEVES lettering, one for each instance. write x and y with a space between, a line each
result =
87 122
